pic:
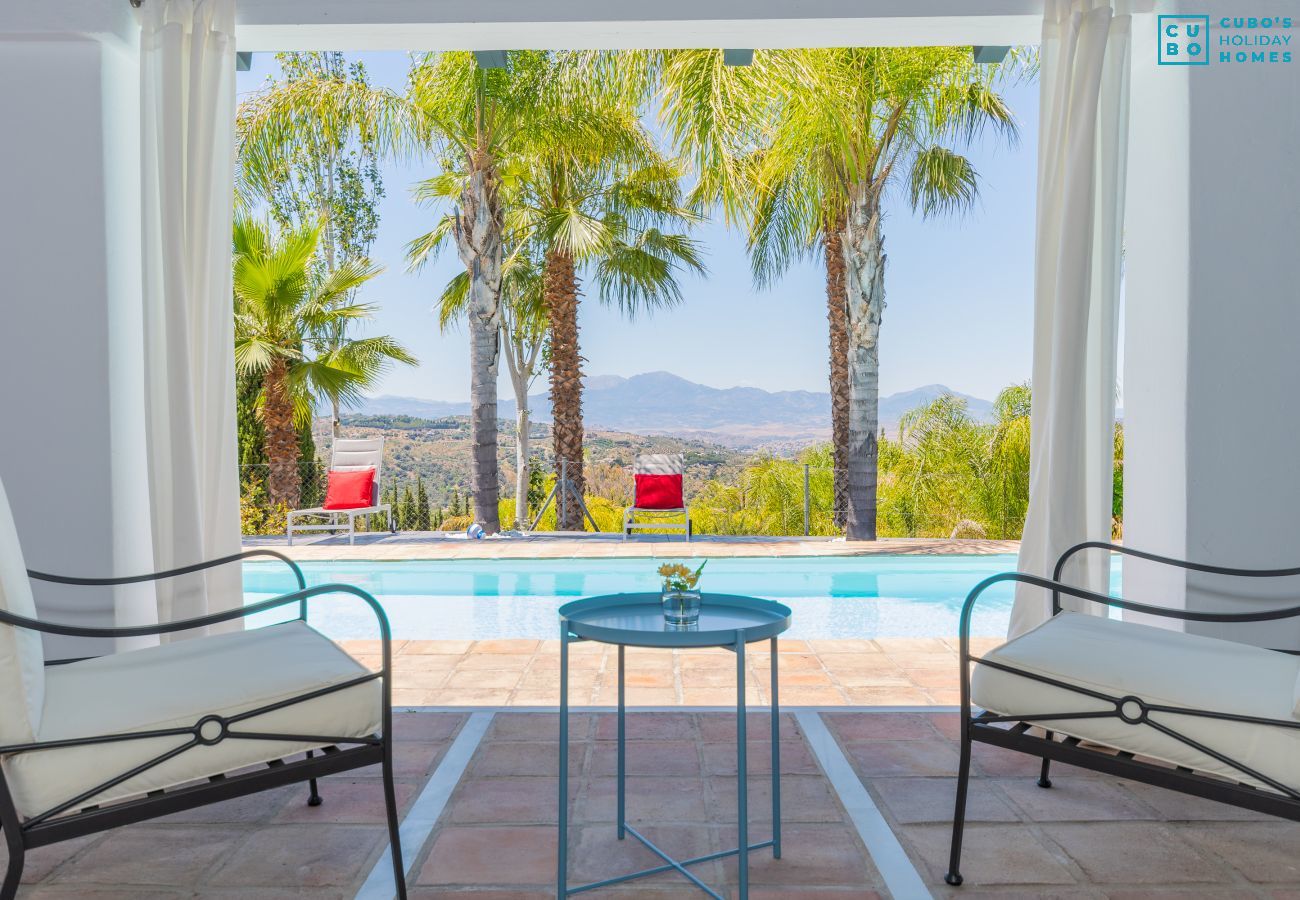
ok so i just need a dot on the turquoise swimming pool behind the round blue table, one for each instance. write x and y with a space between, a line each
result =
887 596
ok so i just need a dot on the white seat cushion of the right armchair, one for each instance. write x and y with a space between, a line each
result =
1160 667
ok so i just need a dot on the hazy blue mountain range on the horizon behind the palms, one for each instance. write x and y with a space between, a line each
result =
665 404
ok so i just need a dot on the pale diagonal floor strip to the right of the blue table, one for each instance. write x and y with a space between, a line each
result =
900 876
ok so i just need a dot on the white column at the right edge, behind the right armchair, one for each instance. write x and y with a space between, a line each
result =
1212 358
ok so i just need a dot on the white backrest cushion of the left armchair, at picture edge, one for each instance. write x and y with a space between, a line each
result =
23 659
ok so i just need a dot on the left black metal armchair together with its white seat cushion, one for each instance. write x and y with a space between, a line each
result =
207 720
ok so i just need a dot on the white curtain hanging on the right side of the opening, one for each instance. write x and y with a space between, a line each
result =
1084 139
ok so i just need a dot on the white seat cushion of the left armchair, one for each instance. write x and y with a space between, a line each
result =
175 686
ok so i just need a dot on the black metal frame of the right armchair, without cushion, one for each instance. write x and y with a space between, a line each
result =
1015 733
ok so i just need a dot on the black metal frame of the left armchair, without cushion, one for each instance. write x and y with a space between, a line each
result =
71 820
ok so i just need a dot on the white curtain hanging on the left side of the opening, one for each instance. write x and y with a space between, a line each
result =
188 107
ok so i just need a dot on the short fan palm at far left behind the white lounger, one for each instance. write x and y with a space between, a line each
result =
283 308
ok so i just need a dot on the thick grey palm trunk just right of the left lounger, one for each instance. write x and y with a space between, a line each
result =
479 239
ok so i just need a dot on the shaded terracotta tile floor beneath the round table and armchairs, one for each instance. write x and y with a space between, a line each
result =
484 827
